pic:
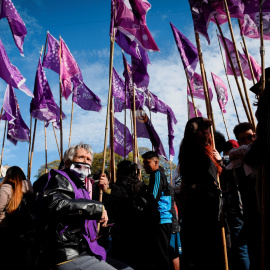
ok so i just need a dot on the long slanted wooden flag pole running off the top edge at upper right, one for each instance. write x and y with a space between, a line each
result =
239 65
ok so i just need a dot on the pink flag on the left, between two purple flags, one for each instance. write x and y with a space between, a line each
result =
68 69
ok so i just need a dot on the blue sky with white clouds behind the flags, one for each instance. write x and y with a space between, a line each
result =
84 26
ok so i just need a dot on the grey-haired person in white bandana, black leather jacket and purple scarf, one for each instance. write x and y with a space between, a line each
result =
69 216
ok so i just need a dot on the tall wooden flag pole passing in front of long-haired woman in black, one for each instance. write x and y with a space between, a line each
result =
212 133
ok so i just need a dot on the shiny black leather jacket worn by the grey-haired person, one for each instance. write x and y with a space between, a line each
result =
61 218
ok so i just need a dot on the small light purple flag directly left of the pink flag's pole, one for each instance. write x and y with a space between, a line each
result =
51 59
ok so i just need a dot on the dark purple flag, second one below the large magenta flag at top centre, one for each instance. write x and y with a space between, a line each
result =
139 68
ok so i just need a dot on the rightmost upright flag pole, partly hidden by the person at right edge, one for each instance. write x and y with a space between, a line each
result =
263 167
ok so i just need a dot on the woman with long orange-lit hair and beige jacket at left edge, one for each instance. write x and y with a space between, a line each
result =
13 191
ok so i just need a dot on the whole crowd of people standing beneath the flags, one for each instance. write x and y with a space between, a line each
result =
214 219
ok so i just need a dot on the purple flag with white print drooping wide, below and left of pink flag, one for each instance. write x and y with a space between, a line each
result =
43 106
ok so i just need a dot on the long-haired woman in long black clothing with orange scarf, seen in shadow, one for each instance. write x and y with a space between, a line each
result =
200 198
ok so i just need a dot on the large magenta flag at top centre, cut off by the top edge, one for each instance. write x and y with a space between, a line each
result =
130 19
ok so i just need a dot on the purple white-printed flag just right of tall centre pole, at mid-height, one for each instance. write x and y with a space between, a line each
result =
118 91
